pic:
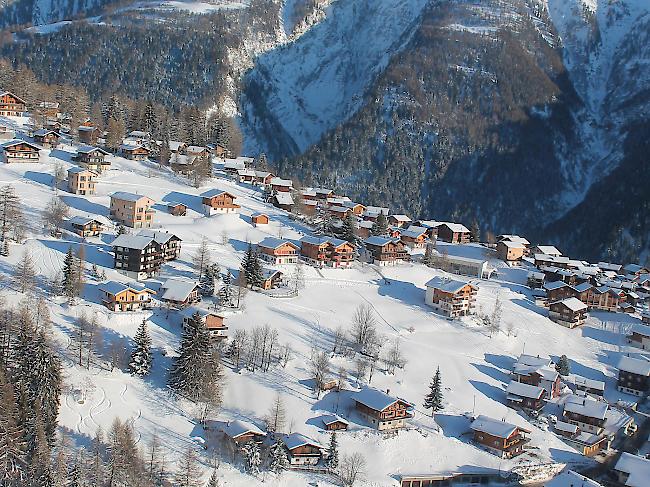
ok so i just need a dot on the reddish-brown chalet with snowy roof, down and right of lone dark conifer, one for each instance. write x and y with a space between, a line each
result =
498 437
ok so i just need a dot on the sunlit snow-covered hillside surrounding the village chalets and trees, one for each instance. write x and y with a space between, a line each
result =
474 366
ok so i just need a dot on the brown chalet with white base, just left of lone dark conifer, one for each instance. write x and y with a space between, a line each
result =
381 410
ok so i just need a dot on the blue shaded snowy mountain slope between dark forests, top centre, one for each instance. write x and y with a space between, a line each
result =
316 82
